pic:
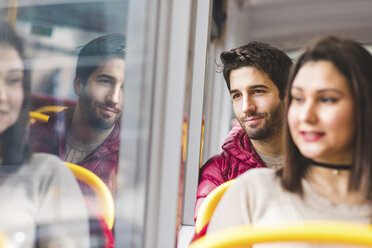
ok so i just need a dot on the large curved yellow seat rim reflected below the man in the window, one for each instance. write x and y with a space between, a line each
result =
106 202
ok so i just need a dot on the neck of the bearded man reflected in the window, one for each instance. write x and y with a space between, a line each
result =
84 133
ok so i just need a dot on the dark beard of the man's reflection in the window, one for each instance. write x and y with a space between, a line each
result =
88 110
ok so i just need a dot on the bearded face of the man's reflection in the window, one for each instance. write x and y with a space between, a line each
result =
101 99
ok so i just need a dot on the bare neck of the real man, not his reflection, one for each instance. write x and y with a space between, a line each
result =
271 147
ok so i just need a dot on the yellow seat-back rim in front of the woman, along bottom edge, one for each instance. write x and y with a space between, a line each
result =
314 232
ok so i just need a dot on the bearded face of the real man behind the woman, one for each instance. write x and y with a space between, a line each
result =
256 102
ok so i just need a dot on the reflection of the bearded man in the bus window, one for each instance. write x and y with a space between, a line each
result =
88 134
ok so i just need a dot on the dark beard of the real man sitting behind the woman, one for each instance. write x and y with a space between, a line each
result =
272 126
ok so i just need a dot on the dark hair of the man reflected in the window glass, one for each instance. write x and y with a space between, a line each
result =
97 51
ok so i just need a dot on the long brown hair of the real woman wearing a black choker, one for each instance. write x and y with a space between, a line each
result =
354 62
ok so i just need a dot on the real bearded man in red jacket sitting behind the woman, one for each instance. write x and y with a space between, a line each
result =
256 76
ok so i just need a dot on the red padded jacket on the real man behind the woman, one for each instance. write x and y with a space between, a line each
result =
237 156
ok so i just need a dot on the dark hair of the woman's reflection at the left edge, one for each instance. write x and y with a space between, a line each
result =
14 149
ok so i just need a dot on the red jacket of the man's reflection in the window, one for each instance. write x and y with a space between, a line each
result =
50 137
